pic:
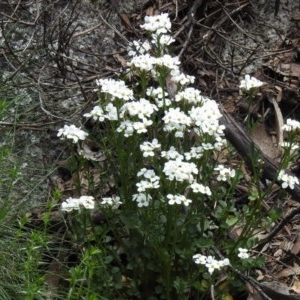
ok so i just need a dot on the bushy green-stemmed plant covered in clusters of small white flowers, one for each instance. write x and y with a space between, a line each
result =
173 200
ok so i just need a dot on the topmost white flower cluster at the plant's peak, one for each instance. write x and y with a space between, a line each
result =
157 24
